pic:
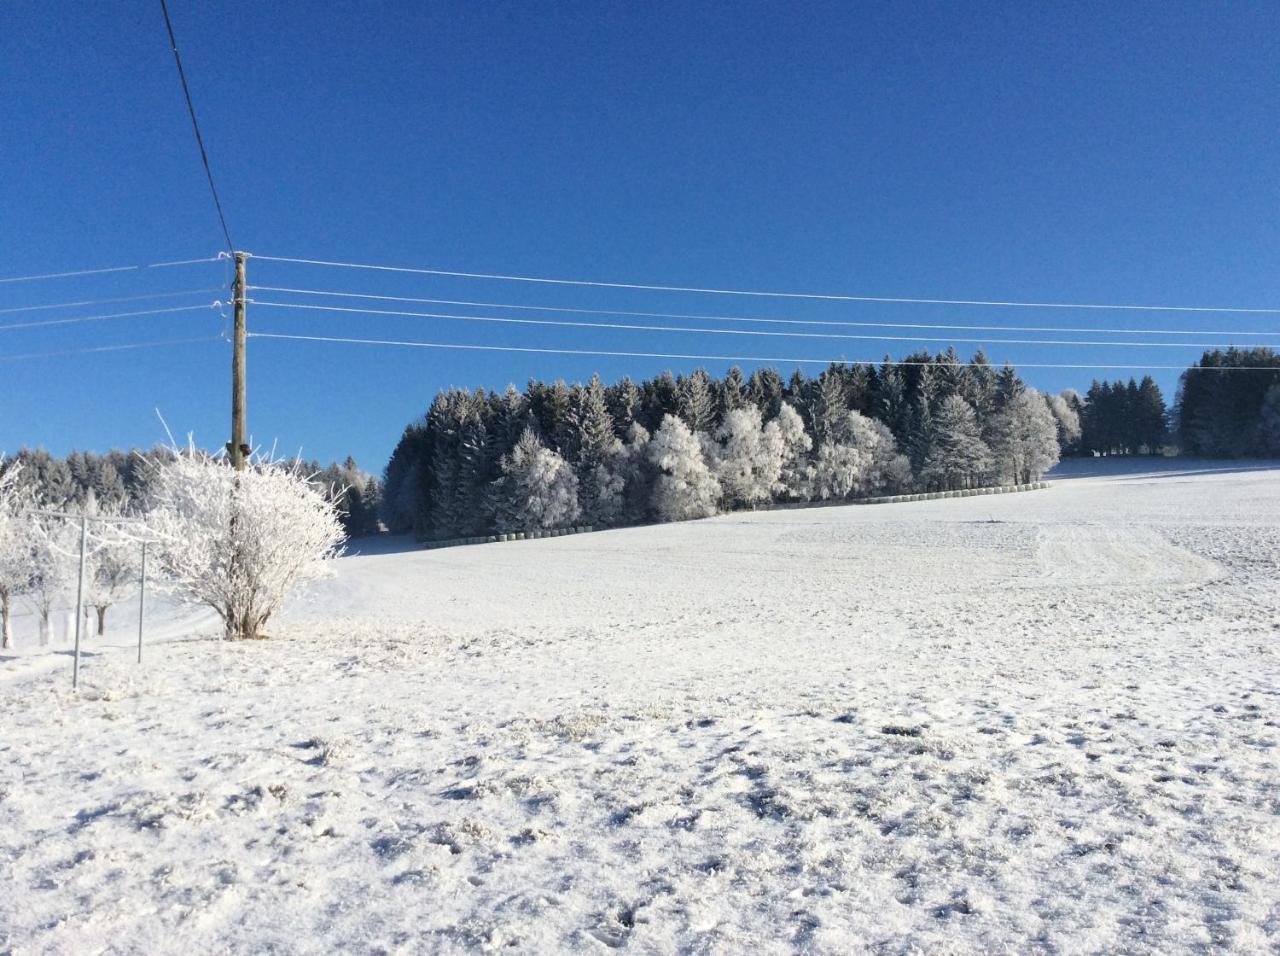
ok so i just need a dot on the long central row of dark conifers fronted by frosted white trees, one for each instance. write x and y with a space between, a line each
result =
673 449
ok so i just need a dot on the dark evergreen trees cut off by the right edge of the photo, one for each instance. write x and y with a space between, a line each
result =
1229 405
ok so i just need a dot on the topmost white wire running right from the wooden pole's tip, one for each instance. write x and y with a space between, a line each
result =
767 295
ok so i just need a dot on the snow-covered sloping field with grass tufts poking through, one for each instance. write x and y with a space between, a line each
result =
1044 722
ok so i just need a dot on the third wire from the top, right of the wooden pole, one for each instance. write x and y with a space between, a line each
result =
630 327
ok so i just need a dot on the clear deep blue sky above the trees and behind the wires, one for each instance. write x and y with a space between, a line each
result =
1110 153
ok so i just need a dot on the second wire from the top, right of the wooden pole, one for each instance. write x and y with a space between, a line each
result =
762 321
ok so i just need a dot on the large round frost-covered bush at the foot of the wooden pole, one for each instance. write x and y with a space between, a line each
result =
240 542
